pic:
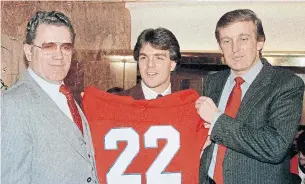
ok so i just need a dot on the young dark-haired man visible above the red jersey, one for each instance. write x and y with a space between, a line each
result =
157 52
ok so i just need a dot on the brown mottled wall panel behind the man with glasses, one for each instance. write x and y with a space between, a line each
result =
101 29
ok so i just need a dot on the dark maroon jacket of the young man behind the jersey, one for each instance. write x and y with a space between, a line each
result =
136 92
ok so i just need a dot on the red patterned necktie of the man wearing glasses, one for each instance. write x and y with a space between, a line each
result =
72 106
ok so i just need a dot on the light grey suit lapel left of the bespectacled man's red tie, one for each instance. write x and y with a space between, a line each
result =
48 108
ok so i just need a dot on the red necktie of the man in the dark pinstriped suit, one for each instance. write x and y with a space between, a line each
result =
232 107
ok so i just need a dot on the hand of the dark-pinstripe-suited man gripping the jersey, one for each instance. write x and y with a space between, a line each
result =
206 109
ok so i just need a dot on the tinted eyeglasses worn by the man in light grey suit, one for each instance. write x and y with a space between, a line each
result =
50 48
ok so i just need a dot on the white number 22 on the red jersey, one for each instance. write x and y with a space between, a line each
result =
155 174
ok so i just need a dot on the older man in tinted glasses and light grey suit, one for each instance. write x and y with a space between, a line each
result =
45 135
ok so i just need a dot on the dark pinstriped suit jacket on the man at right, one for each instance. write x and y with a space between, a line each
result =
259 137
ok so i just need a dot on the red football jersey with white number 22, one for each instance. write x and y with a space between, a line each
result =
145 141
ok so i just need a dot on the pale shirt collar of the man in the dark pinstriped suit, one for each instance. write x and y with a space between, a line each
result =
250 75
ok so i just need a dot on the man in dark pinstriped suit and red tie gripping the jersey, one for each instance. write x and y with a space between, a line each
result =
253 109
